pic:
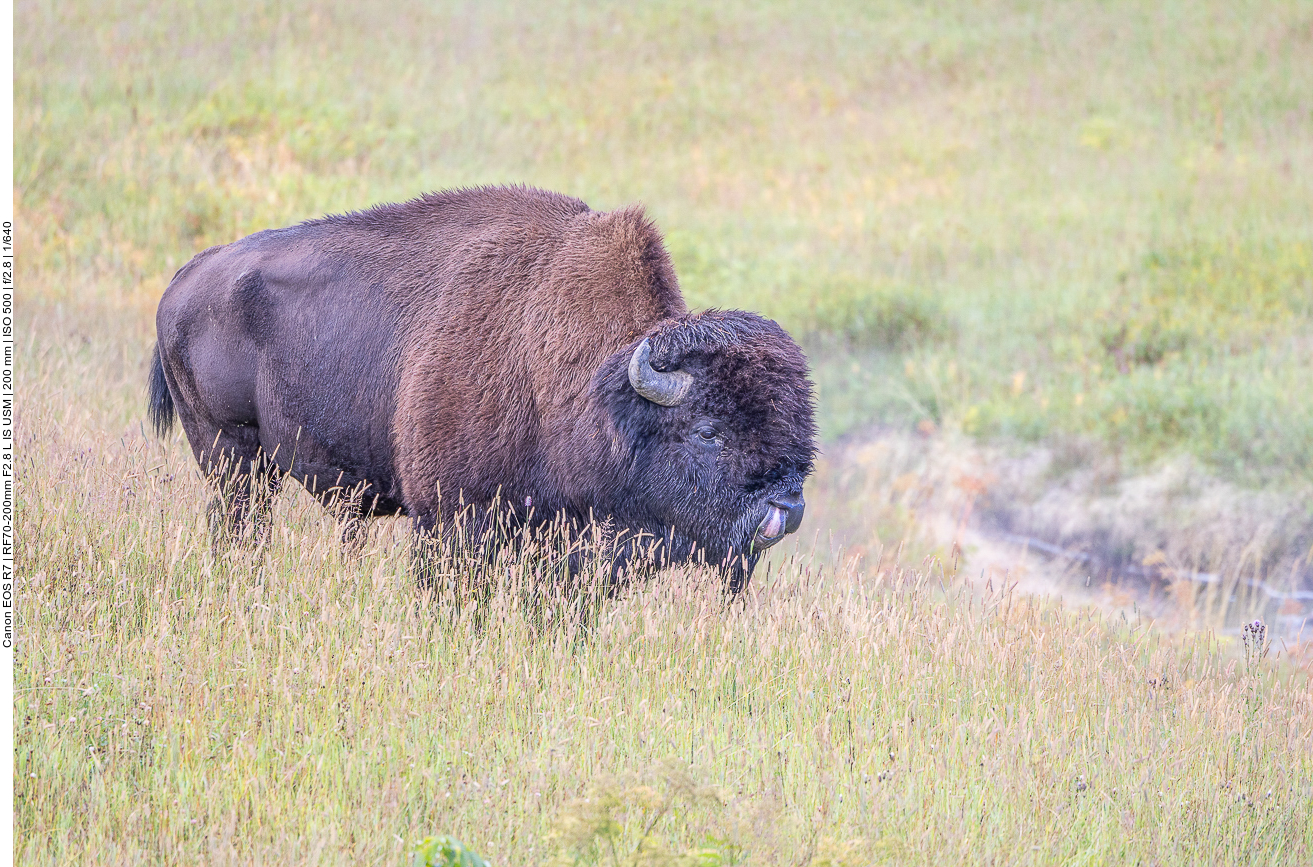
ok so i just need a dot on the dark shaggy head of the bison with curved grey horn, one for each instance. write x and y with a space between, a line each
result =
715 416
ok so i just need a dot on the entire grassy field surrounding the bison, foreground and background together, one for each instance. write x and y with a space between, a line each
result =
1081 232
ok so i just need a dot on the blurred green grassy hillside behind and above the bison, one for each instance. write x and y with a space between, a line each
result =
1085 221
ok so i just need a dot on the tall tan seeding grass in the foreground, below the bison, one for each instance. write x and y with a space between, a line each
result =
288 707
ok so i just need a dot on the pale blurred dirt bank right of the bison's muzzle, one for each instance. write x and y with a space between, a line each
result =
1176 545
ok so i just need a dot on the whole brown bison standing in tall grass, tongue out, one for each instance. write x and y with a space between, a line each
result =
493 350
